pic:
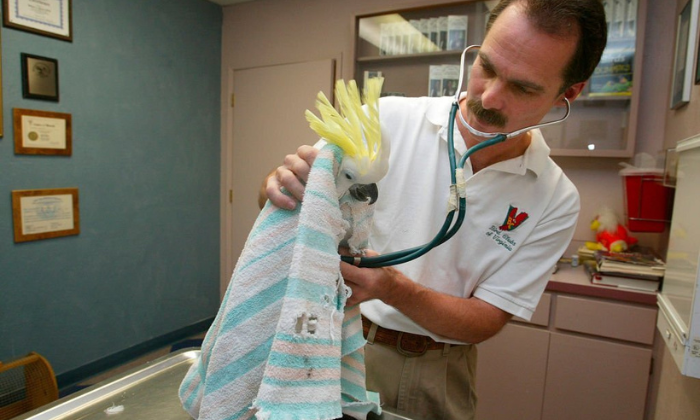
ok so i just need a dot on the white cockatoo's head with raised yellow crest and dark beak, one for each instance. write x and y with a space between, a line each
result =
356 131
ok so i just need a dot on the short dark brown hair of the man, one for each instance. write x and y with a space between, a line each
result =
555 17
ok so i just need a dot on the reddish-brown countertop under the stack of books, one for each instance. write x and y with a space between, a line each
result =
575 280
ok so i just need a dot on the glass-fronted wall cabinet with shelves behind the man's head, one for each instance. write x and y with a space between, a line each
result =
413 48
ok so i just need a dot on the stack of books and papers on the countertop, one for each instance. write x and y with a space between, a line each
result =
638 270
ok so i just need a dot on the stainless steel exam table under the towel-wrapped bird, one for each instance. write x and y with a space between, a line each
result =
148 392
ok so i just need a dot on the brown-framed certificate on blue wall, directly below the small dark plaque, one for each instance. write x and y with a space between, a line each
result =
42 132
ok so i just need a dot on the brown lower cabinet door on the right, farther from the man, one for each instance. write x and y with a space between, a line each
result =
594 379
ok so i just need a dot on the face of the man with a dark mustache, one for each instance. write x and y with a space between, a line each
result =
517 76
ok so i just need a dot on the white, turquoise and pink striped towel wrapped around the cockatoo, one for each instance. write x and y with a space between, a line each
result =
283 345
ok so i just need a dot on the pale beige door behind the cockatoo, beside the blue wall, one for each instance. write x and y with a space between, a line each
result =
268 123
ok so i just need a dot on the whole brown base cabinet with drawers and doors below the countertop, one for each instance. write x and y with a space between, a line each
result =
582 358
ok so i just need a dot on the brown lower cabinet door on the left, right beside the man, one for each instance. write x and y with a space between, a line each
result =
511 371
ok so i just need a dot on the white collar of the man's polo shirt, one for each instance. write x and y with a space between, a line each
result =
535 157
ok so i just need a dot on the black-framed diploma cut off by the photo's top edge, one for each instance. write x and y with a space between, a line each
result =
44 17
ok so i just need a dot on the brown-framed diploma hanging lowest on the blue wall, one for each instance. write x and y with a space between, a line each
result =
44 214
